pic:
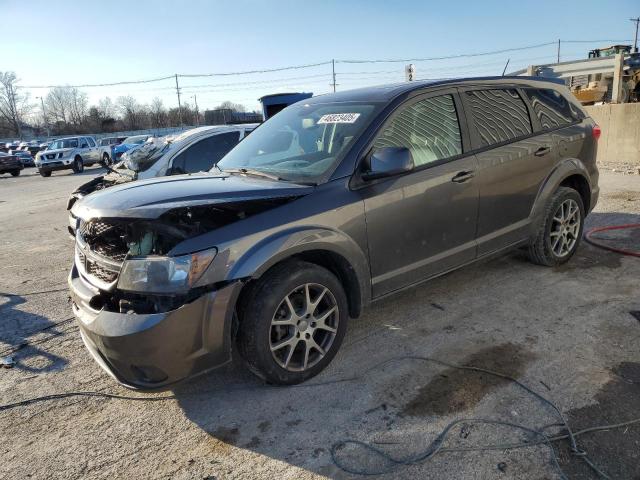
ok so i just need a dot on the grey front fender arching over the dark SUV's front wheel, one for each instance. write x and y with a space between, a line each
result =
239 263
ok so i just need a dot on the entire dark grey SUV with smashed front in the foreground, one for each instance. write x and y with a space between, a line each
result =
332 203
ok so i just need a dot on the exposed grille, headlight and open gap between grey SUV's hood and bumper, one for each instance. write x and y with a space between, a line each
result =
128 260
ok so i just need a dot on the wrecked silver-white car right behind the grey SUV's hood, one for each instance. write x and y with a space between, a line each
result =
193 151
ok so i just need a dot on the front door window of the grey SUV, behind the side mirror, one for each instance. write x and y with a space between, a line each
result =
428 128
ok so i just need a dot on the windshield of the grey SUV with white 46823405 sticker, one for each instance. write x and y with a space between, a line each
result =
302 143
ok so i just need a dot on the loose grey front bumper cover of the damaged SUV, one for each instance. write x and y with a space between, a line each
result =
154 351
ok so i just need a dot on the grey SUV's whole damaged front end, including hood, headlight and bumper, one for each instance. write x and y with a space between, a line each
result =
148 316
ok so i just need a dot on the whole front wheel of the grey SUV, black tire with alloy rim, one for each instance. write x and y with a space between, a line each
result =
292 322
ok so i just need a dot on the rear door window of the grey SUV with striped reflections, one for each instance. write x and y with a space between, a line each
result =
499 115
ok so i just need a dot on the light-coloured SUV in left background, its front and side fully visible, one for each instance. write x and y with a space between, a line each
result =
68 153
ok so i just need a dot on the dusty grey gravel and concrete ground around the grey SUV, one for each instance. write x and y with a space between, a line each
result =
570 333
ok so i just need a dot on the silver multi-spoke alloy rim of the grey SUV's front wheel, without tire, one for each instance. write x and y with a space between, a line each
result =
304 327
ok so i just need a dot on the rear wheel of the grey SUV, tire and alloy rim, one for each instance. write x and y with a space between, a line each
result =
561 230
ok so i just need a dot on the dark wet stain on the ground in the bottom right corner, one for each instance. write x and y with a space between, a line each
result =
615 452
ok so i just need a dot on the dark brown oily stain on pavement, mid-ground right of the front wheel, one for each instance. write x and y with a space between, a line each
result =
458 390
